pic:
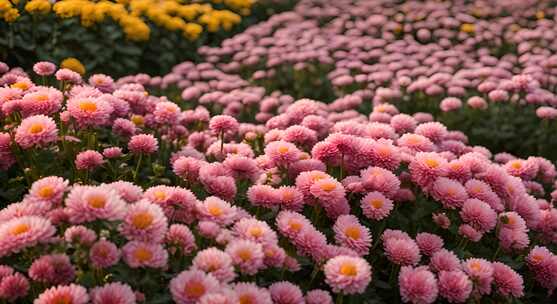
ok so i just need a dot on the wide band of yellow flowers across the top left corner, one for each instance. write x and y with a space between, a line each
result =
133 15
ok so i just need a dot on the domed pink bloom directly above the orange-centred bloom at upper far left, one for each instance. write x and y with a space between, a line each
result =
45 101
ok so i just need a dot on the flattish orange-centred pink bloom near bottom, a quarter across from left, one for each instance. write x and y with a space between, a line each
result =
140 255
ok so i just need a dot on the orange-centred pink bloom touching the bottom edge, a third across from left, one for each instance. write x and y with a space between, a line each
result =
190 285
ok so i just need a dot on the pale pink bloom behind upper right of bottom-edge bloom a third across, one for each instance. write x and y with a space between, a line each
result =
216 262
